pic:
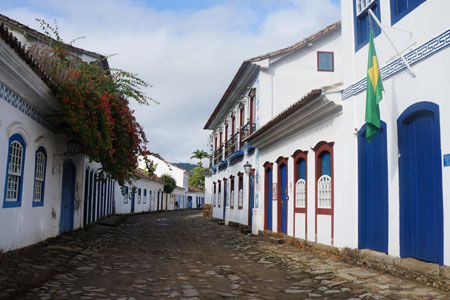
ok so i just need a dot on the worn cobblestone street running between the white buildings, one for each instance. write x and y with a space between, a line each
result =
179 255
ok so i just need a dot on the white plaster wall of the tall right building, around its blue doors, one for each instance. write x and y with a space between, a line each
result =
402 90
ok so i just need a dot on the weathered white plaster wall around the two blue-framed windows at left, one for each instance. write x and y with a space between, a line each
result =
26 225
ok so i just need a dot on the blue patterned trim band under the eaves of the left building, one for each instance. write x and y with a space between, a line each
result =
23 106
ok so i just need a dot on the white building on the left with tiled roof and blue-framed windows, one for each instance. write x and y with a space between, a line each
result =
46 187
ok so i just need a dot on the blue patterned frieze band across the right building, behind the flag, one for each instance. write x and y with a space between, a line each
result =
422 52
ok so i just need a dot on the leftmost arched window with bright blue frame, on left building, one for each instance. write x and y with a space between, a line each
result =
14 172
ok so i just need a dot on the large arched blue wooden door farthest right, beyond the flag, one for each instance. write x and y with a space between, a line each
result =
421 204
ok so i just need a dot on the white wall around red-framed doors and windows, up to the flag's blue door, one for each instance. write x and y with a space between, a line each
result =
340 130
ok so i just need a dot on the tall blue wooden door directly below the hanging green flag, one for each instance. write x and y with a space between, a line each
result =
373 191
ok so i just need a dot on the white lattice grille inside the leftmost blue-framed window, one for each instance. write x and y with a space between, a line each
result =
14 171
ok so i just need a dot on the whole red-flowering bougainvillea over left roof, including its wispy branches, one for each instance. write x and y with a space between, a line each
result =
95 108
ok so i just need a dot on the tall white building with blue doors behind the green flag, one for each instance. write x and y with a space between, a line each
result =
401 204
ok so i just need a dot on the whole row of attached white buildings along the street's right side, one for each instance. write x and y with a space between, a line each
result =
294 118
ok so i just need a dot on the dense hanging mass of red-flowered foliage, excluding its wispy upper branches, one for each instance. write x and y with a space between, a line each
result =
97 115
